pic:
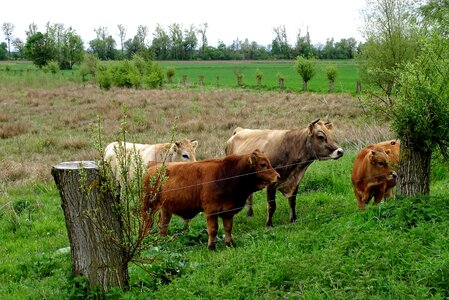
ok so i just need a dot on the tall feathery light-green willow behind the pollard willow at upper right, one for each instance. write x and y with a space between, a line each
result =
389 30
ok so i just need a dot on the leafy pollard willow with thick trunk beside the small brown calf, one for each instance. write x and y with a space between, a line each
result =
421 112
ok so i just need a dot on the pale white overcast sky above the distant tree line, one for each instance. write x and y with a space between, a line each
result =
227 20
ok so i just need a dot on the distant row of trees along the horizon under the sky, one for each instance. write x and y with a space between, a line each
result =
64 46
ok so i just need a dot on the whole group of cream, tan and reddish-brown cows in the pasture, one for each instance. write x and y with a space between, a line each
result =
255 159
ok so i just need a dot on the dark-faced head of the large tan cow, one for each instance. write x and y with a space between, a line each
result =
321 142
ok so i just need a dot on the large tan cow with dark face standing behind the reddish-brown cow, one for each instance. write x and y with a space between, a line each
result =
290 152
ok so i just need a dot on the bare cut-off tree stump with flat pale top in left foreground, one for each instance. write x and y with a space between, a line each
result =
93 225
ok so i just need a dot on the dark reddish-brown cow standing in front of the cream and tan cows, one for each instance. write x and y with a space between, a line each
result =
217 186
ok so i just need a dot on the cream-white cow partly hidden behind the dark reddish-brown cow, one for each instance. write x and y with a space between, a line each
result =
182 150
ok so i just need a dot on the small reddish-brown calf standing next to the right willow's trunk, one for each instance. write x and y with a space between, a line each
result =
372 176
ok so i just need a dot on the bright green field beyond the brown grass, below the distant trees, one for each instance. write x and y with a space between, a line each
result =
225 70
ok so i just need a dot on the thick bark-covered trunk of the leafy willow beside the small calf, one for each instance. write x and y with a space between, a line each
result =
414 170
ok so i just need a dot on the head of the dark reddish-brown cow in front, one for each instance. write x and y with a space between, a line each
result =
261 166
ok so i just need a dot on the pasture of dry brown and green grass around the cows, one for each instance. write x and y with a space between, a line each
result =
399 249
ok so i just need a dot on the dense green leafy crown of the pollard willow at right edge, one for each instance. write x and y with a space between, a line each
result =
422 107
